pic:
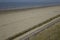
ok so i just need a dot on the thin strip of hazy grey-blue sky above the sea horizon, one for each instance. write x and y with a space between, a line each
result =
26 0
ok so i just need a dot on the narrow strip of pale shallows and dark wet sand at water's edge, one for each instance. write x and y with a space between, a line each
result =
28 8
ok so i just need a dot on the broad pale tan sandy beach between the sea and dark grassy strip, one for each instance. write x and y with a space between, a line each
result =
16 21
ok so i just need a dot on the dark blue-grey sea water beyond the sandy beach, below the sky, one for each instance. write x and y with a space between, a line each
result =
10 5
